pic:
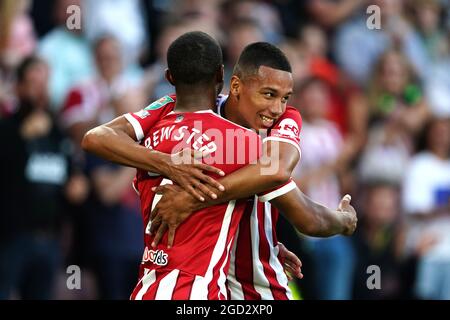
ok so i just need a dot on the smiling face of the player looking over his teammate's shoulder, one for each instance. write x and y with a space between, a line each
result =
262 98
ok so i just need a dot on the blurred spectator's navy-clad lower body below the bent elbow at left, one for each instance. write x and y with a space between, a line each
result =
112 232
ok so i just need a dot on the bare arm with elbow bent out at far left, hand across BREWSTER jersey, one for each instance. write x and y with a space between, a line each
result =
116 141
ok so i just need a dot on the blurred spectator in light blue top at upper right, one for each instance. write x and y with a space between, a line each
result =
357 48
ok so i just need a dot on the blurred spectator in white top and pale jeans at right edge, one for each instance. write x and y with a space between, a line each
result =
426 200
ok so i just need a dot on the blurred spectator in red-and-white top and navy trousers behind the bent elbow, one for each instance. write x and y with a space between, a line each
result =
110 227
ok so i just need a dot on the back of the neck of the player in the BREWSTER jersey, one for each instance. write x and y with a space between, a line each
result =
190 98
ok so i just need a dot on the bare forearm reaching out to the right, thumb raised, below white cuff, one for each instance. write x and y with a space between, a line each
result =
313 219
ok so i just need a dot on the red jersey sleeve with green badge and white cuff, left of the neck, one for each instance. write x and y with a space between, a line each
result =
143 120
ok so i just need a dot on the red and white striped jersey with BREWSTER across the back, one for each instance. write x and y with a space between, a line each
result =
197 265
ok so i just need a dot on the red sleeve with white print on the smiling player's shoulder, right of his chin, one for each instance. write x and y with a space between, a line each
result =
287 128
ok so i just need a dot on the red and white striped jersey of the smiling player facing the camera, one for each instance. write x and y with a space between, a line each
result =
262 276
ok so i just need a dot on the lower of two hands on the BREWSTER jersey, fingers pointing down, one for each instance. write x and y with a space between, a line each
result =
172 209
